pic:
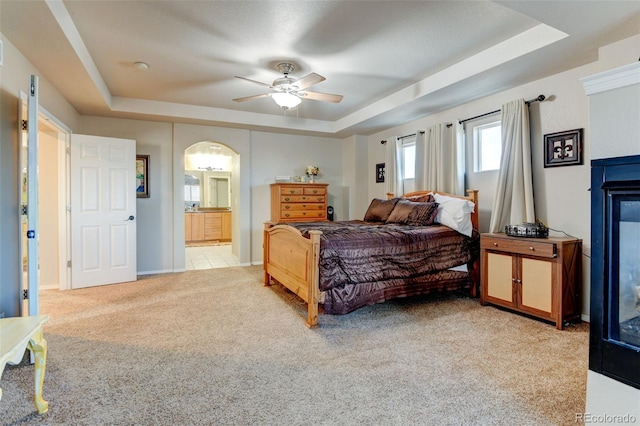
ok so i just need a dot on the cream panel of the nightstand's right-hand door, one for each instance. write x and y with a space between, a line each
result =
536 284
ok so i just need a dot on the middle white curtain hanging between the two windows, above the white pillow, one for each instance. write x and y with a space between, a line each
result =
440 159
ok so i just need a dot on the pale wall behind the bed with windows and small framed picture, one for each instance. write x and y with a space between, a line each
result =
562 196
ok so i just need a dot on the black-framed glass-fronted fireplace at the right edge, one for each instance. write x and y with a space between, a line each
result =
614 349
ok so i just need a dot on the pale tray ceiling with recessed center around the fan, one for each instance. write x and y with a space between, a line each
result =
393 61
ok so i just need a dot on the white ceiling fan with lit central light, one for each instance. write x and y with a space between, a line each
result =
289 92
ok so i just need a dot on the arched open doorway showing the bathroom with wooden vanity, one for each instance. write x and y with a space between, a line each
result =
209 206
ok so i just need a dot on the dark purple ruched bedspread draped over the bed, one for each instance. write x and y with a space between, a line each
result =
357 257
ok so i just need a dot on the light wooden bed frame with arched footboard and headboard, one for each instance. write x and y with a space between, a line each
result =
292 259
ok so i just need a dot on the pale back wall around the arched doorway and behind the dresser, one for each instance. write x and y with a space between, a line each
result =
262 156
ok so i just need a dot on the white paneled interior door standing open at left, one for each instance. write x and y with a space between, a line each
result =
103 210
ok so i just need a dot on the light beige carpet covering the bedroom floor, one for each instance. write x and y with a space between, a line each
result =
215 347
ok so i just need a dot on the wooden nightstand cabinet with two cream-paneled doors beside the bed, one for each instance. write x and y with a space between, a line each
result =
541 277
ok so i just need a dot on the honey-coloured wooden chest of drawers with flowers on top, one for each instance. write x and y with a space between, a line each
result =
298 202
